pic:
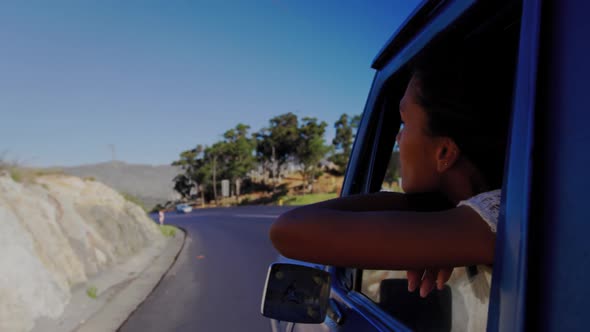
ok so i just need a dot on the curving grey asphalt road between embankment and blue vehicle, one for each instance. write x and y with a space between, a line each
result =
216 283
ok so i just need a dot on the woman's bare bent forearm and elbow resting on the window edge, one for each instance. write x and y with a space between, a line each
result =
341 233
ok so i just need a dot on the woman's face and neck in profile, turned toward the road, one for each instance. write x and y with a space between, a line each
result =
417 148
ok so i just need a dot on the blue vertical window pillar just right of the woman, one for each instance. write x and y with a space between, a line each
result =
508 292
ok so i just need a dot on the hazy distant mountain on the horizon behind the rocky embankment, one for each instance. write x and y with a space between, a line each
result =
150 184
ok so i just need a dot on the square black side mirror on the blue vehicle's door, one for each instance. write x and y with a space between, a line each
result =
296 293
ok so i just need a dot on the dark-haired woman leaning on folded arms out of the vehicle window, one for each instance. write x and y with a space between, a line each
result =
452 144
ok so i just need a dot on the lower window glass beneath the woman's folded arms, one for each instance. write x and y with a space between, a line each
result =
461 306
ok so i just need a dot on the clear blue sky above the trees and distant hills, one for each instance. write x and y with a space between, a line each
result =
155 78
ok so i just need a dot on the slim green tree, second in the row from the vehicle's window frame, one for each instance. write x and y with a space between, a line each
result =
311 148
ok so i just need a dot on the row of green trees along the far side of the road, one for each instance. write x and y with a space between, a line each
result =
286 142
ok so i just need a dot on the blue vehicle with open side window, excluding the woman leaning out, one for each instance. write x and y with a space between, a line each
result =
542 247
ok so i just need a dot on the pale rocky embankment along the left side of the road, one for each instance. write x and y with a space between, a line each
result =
56 232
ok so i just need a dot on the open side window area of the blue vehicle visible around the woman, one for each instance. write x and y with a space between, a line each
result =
463 303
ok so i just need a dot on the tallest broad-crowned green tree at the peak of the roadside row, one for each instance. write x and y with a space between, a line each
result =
277 143
